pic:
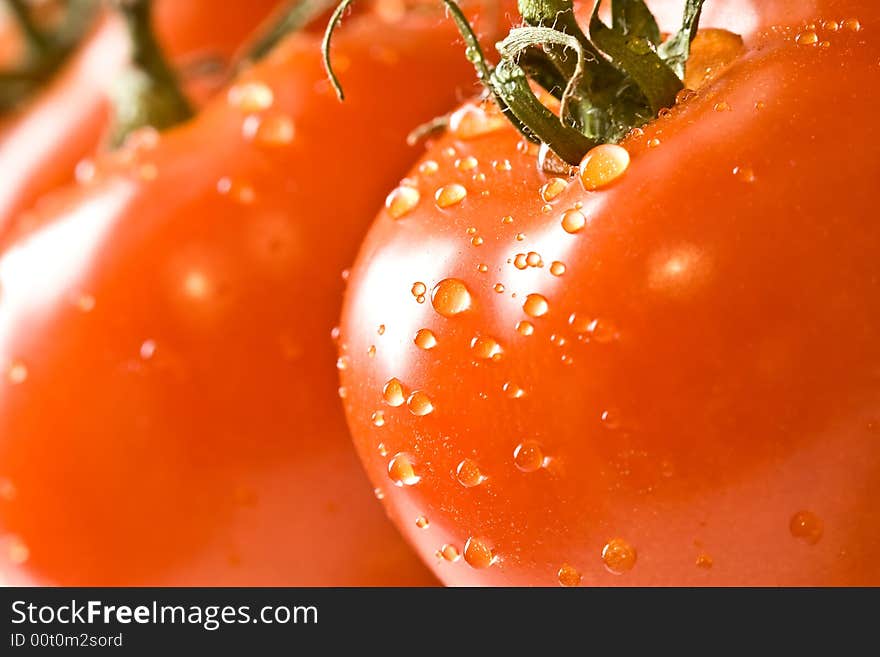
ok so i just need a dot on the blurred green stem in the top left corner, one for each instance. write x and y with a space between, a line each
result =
47 48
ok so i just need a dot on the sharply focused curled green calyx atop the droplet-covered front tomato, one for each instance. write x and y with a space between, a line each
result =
617 78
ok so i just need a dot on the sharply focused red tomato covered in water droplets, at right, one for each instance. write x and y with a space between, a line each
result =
670 380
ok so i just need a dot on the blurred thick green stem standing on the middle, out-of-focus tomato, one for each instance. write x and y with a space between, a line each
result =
148 94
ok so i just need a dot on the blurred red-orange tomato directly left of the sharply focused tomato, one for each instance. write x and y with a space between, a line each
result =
170 410
